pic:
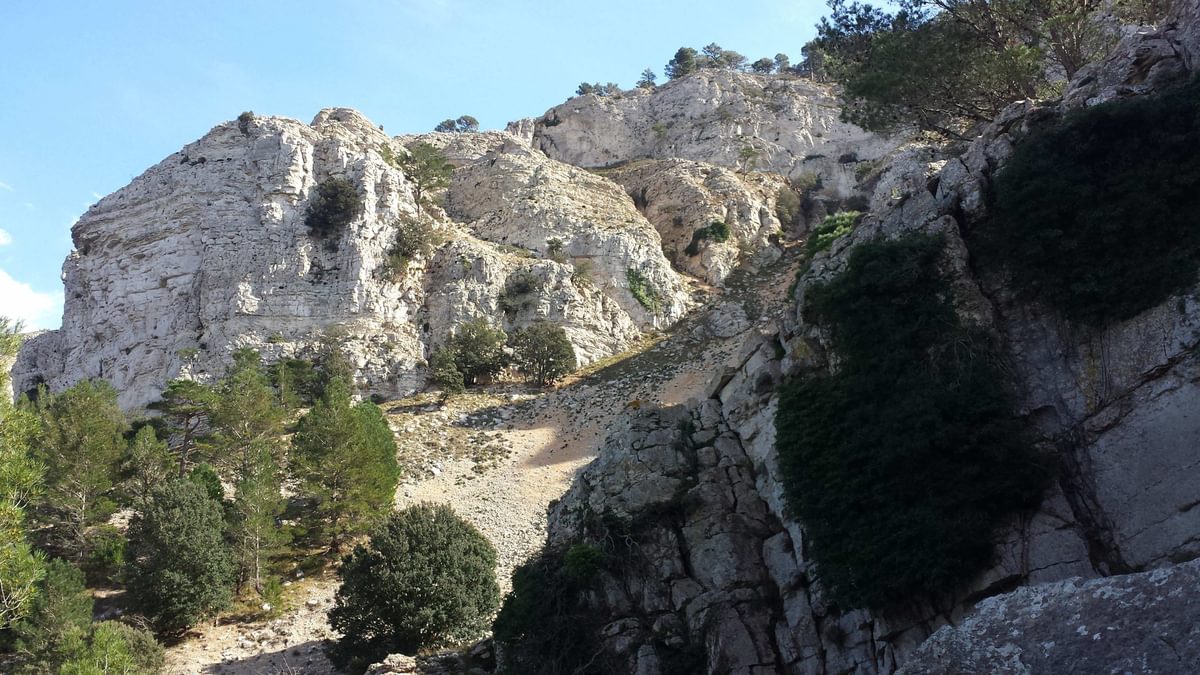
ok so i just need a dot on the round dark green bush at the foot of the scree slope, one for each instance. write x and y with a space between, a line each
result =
427 580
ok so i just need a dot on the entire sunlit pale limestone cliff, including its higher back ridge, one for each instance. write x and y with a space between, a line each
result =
208 252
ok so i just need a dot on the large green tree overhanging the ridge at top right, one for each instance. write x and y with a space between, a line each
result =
946 65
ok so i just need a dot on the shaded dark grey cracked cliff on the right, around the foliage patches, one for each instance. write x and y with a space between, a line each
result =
715 568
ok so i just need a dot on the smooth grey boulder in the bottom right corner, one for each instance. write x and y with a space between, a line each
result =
1145 623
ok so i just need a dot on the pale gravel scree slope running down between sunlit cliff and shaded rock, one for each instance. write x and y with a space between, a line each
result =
500 457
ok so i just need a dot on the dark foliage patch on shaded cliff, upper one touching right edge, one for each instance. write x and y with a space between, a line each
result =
1095 216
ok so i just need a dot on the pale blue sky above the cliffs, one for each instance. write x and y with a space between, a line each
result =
97 93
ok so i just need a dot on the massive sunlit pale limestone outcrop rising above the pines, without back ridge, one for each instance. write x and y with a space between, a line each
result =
208 253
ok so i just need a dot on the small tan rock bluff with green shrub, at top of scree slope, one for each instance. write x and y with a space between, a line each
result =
682 198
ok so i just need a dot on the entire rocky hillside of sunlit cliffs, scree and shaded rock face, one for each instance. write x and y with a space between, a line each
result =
845 402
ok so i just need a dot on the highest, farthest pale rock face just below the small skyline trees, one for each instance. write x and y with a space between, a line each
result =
731 120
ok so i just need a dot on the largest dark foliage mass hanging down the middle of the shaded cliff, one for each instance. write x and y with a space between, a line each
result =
903 464
